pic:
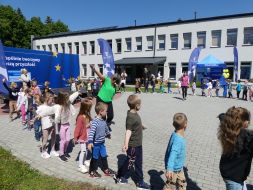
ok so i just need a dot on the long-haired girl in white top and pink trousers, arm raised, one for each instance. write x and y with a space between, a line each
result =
63 111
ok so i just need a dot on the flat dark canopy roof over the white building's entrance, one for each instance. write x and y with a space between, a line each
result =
141 60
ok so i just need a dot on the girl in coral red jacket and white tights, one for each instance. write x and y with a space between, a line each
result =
80 134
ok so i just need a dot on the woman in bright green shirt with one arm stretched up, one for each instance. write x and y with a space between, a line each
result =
107 91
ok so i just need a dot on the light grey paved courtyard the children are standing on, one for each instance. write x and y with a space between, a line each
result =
203 150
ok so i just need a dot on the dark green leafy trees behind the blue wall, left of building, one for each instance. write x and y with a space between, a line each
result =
16 31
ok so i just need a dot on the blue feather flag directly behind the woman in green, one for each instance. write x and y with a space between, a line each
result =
107 56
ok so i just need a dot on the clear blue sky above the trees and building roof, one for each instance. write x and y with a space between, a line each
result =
86 14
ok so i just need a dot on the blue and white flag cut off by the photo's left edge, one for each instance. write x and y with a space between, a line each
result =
3 69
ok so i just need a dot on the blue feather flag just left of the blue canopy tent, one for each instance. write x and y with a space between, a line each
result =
193 63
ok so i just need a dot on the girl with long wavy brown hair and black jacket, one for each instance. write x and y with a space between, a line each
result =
237 147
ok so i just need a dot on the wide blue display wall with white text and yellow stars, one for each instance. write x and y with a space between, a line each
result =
57 68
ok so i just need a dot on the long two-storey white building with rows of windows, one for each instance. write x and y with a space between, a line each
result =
164 47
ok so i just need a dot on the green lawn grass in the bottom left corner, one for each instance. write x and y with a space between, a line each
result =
15 174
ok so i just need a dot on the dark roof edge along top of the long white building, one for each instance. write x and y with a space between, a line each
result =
115 28
